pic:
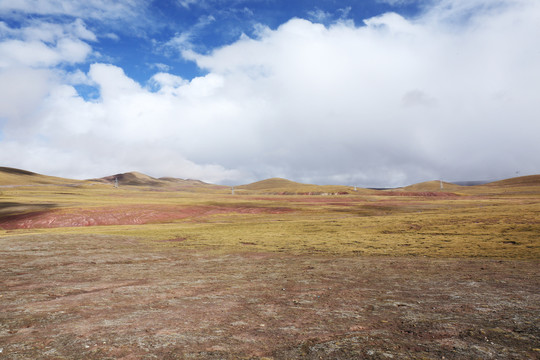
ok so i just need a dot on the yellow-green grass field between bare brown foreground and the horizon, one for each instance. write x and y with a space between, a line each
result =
498 220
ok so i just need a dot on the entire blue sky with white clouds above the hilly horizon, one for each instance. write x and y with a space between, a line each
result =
373 93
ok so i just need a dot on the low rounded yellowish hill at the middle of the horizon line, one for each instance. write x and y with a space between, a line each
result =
284 186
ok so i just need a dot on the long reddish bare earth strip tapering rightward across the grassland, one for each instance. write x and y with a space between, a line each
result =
122 215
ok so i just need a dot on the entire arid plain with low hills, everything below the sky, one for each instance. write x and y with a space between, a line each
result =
173 269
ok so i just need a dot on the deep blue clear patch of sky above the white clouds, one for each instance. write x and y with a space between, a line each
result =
142 45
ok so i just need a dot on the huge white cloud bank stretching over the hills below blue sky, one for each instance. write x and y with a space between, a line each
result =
388 102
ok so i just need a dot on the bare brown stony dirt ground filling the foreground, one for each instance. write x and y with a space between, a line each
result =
104 297
